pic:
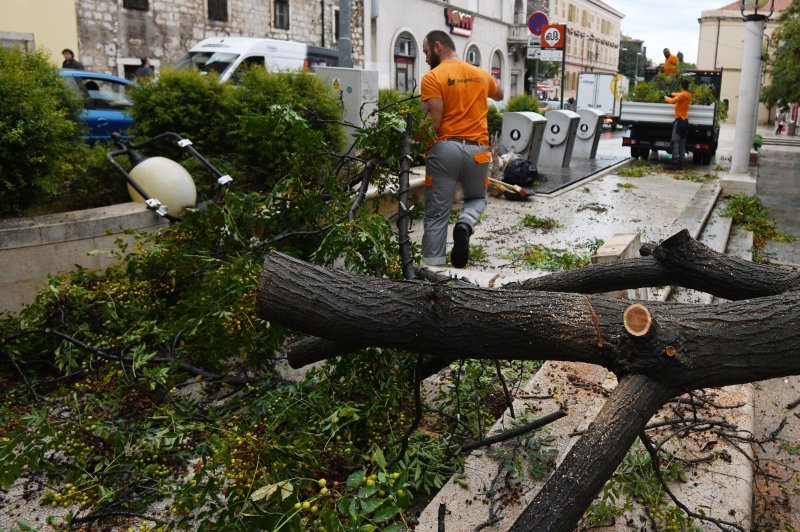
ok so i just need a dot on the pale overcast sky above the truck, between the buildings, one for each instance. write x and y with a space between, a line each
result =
665 24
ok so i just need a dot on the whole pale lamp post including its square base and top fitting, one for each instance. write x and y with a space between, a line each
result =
755 15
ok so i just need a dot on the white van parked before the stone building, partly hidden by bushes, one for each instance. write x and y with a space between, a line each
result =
229 56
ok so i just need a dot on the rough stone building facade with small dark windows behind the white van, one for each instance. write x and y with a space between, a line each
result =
114 34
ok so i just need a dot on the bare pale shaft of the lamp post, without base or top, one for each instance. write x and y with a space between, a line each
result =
748 94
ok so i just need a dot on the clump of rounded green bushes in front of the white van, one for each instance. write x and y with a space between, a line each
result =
269 127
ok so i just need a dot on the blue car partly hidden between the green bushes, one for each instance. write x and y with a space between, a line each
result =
106 100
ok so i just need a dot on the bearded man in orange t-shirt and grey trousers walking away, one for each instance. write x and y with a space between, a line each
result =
454 94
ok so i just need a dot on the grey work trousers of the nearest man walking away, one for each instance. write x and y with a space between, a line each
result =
450 162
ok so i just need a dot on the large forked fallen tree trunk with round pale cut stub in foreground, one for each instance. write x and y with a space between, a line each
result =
658 350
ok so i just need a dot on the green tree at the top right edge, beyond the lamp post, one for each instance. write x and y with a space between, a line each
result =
785 62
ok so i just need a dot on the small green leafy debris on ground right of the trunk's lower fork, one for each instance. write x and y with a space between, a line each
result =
635 482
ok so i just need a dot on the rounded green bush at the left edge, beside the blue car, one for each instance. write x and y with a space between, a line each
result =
39 145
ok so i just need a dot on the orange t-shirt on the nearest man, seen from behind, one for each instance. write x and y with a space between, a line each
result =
463 89
